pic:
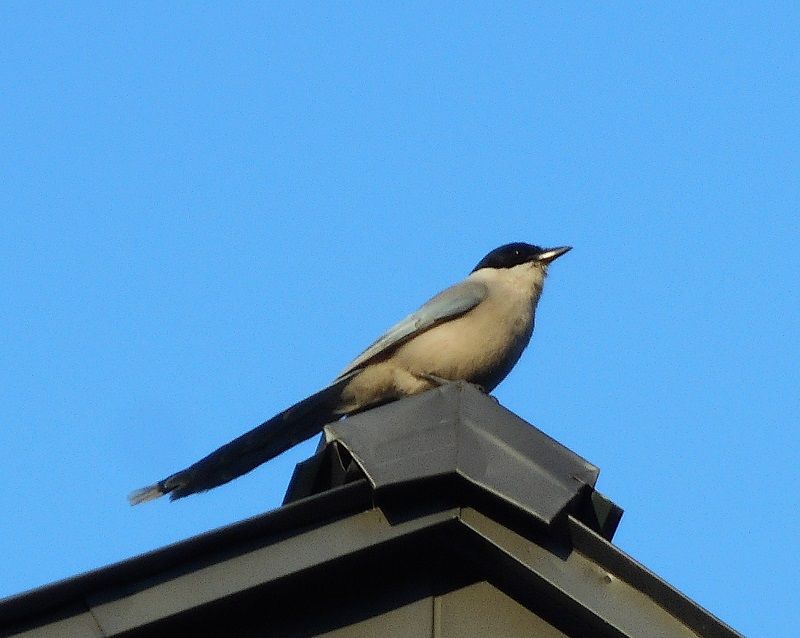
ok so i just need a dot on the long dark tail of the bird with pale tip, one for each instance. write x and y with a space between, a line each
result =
295 424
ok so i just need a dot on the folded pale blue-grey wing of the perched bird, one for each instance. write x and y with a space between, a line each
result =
449 303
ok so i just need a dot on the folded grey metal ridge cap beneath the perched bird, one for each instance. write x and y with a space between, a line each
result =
457 429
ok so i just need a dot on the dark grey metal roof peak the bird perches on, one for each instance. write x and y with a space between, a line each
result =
442 514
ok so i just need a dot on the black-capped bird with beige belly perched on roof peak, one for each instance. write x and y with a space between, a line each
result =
474 331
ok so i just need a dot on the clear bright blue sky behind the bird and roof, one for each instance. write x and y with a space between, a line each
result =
207 210
